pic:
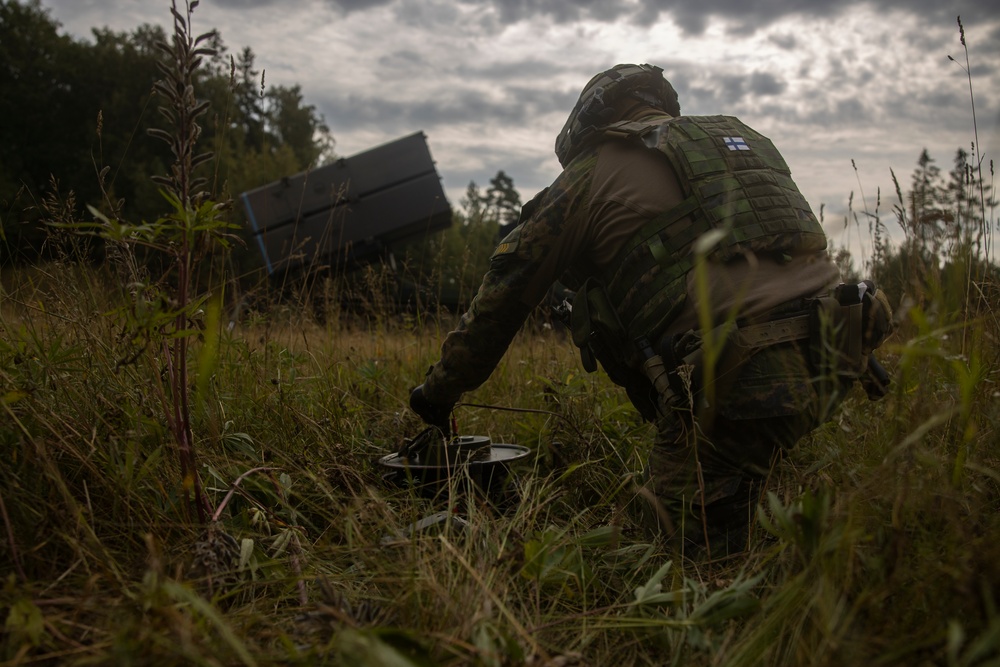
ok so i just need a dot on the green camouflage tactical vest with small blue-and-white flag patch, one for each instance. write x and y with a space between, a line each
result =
735 183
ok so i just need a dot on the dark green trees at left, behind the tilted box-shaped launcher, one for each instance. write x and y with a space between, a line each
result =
77 114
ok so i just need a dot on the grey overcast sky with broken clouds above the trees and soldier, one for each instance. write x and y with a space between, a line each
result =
490 82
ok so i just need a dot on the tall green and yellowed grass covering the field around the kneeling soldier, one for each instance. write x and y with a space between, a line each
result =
876 544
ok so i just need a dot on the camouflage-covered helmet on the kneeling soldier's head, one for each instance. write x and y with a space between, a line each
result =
600 97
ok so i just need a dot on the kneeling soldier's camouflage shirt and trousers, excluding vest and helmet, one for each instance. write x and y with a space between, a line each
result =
576 228
